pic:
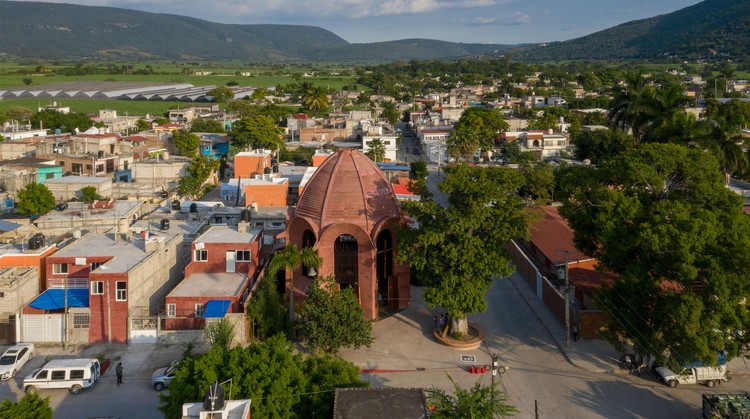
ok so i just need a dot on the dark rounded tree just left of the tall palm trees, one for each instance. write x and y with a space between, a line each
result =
601 145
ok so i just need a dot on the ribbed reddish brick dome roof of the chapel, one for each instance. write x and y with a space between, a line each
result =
348 187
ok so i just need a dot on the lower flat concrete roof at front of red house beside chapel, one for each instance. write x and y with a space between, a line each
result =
210 285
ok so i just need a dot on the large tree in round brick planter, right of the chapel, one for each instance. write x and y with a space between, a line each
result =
457 251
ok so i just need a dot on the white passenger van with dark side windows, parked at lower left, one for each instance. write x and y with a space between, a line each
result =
73 374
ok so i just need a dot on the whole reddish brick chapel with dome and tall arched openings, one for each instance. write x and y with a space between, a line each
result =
348 212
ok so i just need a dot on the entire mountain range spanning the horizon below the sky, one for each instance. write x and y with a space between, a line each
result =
65 31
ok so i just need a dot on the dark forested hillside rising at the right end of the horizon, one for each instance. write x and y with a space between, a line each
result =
712 27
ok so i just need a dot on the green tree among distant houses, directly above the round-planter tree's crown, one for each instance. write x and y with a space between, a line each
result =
476 130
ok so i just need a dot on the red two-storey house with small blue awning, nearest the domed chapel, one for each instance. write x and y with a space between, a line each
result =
225 262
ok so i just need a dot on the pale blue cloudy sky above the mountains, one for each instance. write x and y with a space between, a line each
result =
469 21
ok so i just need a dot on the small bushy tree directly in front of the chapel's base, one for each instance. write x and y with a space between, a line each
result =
333 319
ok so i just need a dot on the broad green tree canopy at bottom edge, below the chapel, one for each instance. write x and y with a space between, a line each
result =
281 382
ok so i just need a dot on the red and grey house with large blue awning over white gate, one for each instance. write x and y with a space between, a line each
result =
111 281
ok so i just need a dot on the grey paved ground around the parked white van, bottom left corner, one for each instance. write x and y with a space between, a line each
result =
135 398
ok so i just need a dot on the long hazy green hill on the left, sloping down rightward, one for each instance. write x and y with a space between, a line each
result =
61 31
